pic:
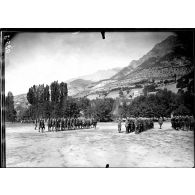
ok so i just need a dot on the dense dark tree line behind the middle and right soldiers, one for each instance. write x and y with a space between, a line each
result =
163 103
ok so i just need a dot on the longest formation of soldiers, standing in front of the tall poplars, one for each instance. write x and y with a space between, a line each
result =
61 124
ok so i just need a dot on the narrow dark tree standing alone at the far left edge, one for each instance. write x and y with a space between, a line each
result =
10 112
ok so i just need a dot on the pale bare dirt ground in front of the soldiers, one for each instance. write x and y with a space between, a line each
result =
26 147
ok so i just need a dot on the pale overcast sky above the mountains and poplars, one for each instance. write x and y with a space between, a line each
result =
38 58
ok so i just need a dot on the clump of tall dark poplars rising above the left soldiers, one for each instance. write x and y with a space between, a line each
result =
47 101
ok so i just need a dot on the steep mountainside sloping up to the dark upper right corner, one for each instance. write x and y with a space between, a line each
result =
167 60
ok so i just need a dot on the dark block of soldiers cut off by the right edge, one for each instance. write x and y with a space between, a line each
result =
183 123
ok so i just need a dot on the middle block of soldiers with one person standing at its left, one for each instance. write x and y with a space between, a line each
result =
136 125
